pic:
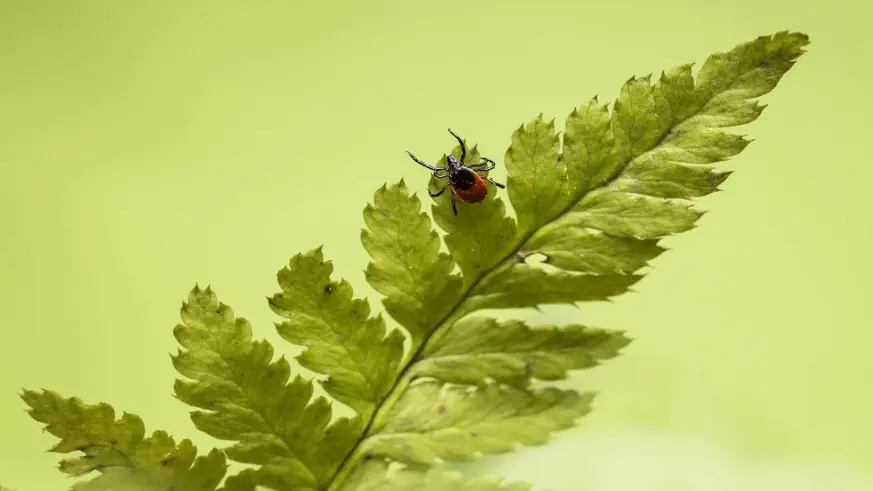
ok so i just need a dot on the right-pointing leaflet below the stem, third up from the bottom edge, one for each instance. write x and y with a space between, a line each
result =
476 349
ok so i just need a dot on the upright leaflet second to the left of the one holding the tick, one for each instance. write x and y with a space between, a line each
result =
343 341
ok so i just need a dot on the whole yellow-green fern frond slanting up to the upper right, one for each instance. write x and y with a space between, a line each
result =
593 203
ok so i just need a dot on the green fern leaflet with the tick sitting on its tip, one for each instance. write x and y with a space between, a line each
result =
481 234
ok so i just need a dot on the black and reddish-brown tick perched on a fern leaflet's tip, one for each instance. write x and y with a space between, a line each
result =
466 182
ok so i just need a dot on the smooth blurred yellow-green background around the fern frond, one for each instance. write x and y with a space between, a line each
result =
146 146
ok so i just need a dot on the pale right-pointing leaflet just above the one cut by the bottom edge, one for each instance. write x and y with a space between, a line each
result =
434 422
